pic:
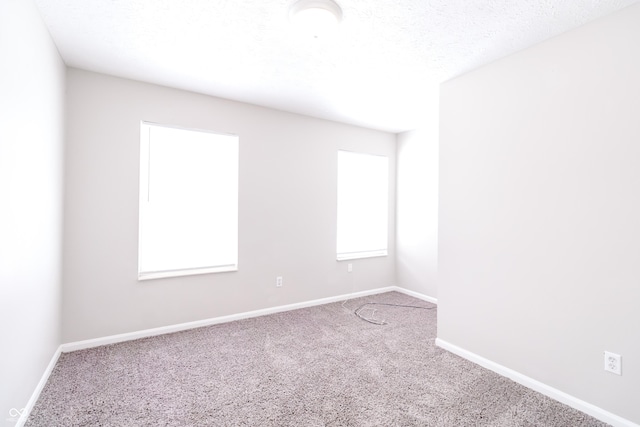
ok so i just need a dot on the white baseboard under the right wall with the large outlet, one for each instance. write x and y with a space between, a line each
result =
538 386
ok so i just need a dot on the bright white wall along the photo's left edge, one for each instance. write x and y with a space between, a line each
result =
31 145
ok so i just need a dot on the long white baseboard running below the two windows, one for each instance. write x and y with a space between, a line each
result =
146 333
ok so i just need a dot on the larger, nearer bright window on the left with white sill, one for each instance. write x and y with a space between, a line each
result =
188 202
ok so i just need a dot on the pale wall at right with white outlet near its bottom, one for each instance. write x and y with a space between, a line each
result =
540 212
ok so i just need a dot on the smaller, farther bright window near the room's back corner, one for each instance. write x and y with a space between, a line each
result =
363 205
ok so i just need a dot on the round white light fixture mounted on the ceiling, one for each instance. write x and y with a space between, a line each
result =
316 17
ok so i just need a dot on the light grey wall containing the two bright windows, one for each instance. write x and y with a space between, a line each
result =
288 166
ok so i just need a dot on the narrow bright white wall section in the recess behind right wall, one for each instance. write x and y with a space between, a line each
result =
417 208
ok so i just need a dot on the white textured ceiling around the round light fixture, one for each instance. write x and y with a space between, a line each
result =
380 70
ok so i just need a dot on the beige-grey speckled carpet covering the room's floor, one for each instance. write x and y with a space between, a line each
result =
319 366
